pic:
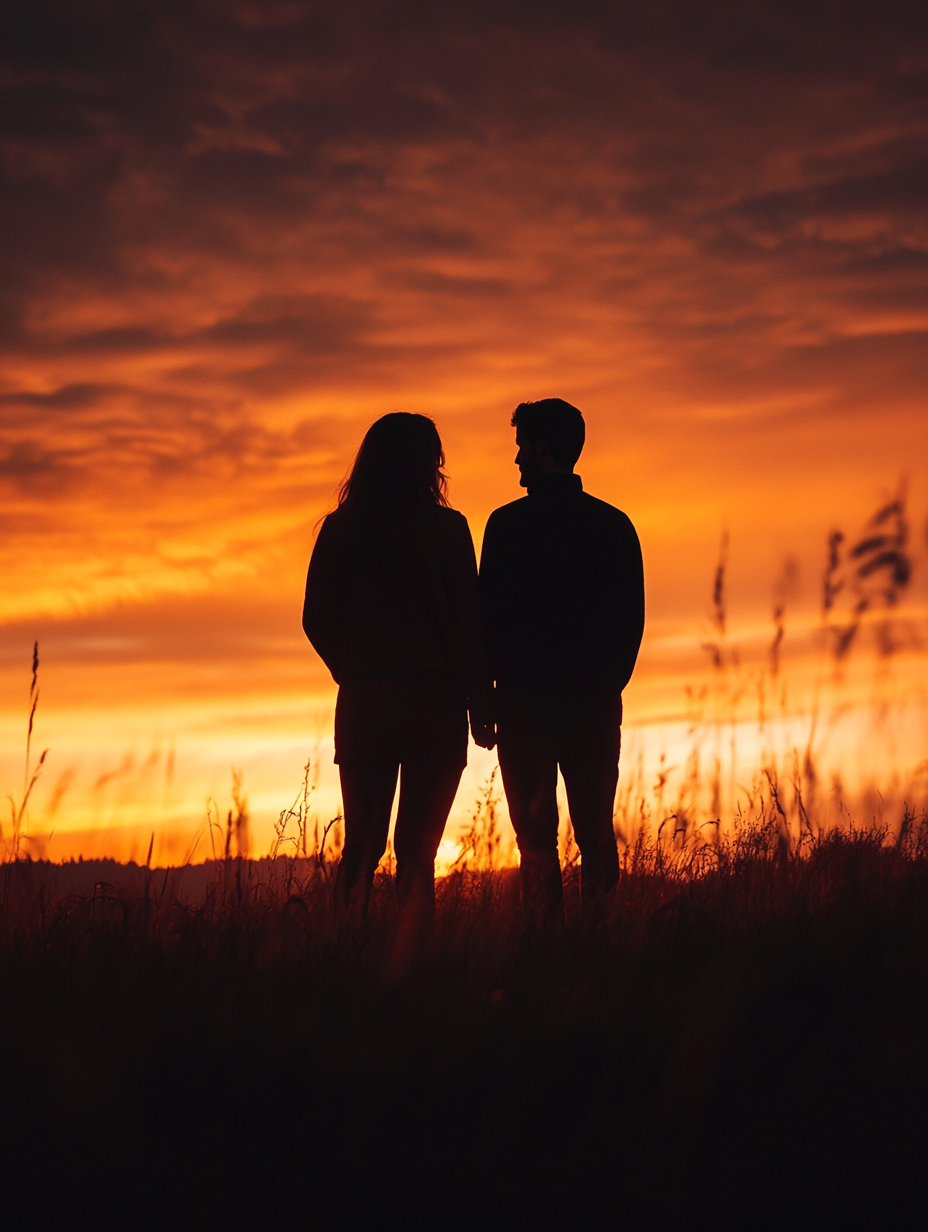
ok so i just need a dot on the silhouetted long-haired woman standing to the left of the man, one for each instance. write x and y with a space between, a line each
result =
393 609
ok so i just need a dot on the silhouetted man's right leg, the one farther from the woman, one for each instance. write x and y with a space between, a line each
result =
590 763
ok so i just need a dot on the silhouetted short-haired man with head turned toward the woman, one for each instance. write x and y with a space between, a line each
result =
564 606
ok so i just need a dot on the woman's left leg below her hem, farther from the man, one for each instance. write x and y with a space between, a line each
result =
368 793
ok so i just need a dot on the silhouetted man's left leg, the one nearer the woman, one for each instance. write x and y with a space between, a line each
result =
529 766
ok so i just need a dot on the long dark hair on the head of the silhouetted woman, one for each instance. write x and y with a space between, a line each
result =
399 470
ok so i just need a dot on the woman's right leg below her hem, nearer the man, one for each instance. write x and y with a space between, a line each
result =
427 793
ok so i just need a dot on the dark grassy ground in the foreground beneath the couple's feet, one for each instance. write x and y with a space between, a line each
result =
746 1049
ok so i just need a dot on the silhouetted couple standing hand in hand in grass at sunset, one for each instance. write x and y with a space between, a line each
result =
538 651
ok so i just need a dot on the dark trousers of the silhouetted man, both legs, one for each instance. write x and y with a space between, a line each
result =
535 736
